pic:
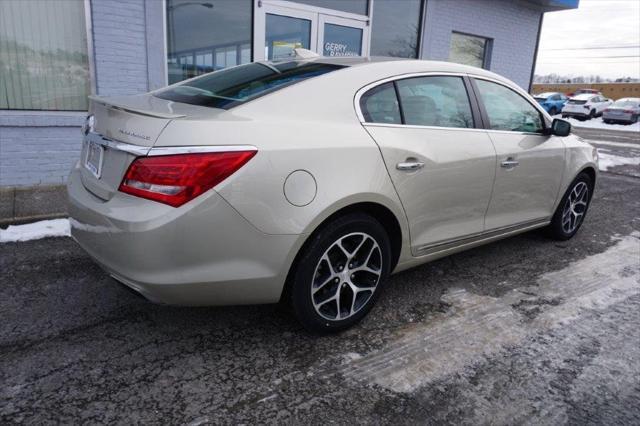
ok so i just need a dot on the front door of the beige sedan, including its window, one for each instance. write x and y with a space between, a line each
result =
530 163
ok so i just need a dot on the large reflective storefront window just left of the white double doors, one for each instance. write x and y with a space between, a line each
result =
203 36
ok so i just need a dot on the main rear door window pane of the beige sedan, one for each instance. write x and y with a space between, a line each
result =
435 101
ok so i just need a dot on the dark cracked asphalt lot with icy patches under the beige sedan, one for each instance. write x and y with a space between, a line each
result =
523 331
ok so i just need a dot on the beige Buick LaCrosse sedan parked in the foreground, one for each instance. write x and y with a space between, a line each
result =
309 181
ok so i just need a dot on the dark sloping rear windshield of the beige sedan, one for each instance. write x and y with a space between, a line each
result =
230 87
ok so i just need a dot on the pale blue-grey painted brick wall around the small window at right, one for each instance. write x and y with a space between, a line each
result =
513 26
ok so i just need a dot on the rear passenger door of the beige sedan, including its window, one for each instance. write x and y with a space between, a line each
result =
441 164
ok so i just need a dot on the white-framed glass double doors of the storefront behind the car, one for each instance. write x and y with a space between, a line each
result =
280 29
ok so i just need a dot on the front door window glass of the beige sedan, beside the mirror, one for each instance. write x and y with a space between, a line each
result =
507 110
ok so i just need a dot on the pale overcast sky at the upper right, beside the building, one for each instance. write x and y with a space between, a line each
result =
601 37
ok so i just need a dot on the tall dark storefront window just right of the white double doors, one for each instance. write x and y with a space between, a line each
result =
395 28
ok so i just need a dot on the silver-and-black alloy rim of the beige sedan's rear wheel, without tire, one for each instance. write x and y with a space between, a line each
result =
346 276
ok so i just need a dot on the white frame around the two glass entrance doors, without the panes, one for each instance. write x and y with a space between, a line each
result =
317 15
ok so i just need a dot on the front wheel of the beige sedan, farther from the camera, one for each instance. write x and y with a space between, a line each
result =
572 208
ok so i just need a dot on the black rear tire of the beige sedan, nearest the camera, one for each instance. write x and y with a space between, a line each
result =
348 228
